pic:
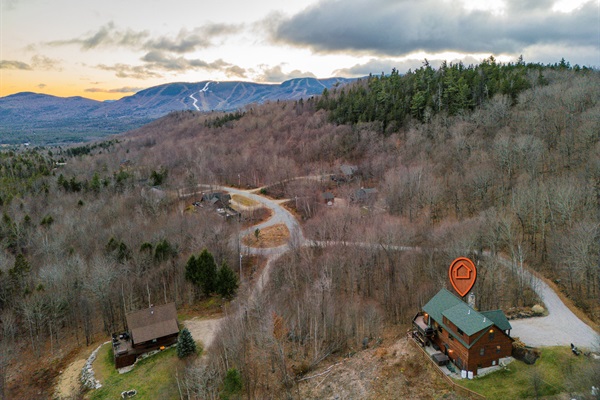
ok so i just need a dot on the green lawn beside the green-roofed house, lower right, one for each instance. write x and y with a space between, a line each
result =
556 371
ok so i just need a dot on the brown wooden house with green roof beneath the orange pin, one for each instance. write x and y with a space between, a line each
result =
471 339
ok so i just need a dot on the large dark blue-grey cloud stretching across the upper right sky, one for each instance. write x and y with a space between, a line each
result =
400 27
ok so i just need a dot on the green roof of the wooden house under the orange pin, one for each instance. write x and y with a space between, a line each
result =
467 319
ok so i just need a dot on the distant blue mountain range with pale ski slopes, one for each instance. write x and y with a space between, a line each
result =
43 119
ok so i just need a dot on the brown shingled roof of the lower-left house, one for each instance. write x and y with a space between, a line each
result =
153 323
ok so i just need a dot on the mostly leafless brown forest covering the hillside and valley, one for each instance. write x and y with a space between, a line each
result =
498 158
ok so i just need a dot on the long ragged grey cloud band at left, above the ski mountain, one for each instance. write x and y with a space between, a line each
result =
185 41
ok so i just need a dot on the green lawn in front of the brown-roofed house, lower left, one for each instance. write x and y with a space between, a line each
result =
153 377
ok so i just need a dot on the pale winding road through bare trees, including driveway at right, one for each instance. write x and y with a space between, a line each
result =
560 327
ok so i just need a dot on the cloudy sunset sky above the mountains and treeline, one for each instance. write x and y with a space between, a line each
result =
109 49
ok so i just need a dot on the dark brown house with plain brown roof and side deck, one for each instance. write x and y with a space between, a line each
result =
149 329
